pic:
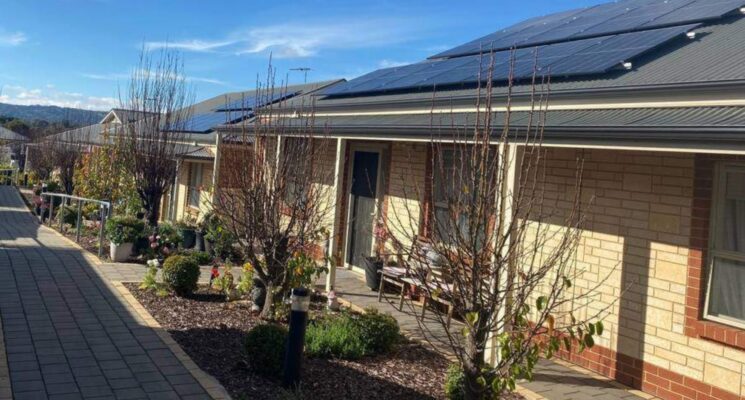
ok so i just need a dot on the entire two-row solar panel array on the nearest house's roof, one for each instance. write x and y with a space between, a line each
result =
587 41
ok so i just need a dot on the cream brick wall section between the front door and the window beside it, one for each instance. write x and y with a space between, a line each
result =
406 189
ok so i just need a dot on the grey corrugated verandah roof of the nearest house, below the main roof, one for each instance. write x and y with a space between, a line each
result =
696 123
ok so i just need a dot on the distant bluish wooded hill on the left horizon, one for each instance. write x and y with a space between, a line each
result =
52 114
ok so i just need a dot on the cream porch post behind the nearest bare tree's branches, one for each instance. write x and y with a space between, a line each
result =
505 198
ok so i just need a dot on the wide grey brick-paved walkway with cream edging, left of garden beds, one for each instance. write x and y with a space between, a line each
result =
67 332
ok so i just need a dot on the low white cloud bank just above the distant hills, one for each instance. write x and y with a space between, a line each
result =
52 97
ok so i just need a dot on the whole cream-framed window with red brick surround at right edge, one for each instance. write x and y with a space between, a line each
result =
726 296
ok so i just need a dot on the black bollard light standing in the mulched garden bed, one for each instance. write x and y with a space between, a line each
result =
294 351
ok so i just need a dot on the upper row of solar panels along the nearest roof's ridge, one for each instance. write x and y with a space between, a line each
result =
601 20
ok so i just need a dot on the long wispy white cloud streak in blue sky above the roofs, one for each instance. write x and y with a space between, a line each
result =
300 40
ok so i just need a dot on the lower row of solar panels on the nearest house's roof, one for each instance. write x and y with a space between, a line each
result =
579 57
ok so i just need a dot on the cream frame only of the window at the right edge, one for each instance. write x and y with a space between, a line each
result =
718 200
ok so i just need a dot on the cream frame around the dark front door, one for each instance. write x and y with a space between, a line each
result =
380 149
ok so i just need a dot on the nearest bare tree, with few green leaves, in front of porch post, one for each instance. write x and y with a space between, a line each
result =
495 247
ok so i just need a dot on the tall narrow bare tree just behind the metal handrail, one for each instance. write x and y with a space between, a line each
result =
158 101
